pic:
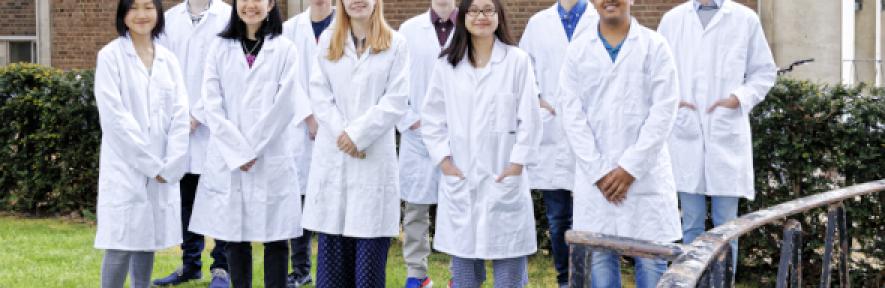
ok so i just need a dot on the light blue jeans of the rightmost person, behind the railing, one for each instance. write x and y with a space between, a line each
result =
694 216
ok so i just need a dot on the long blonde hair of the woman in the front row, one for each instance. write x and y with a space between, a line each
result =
379 37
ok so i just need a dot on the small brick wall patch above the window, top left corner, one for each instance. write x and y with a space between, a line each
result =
18 18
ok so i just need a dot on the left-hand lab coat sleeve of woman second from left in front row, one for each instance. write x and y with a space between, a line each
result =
232 146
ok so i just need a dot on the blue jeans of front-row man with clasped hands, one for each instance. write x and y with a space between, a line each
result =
605 270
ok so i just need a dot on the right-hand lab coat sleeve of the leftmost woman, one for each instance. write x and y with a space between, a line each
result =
178 135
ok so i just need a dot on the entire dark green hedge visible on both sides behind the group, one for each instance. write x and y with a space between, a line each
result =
808 138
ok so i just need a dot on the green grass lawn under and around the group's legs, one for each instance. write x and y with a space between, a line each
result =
59 253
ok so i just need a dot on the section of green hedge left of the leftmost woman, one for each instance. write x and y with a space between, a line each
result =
49 140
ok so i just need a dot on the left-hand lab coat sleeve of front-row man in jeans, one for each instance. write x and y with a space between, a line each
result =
575 122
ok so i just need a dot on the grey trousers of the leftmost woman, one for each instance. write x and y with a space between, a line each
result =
117 263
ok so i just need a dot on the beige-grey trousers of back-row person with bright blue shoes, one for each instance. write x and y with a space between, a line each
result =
416 245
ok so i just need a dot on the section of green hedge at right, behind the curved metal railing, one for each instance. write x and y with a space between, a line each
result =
807 139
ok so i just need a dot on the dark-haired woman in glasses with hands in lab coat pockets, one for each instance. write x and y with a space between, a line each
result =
481 124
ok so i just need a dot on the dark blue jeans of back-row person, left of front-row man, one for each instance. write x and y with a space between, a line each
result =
559 216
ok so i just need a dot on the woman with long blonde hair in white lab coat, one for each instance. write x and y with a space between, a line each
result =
359 91
